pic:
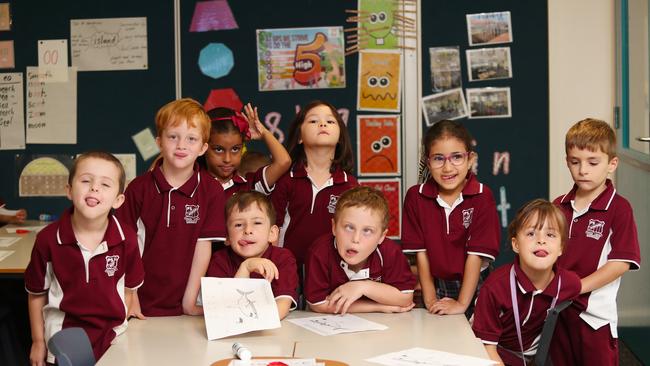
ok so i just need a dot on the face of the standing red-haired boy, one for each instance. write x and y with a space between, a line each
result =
180 145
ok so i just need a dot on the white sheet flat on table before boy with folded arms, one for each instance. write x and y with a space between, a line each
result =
327 325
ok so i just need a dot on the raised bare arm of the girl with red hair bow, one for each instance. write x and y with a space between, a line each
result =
281 159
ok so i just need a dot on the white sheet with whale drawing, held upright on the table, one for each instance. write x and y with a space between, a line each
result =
237 305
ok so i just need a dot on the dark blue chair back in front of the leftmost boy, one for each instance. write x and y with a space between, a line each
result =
71 347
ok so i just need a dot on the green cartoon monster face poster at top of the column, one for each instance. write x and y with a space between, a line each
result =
377 22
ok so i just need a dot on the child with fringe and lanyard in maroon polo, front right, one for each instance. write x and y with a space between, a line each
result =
538 237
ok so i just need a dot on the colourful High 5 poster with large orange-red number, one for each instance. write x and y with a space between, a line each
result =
300 58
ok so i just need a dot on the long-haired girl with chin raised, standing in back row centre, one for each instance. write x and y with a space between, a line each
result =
305 197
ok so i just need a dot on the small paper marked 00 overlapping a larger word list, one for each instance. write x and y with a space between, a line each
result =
53 60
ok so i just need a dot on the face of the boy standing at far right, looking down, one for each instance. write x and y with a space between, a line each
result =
589 169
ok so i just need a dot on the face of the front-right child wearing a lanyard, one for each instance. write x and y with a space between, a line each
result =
538 248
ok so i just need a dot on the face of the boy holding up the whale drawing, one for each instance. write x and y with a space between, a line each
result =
250 231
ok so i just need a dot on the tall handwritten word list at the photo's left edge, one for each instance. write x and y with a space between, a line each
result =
12 117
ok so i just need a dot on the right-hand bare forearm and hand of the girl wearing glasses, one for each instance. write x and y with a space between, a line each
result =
467 289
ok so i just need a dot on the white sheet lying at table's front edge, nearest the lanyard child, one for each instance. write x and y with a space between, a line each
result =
428 357
